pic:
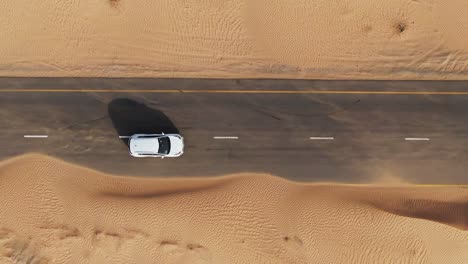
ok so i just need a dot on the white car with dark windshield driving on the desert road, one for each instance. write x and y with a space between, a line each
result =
156 145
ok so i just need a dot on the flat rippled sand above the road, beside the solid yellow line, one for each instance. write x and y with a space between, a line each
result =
398 39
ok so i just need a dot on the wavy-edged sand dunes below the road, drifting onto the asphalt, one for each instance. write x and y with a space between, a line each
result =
53 212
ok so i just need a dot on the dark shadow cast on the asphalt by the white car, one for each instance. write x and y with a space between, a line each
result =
130 117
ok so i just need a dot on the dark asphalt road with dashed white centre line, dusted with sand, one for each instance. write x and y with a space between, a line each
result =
355 132
